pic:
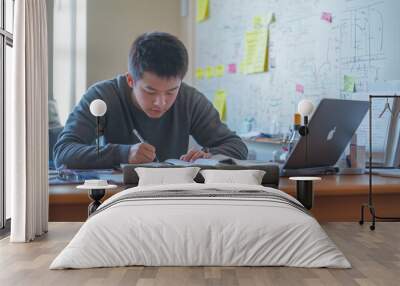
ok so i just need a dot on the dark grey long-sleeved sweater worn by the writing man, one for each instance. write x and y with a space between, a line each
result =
191 114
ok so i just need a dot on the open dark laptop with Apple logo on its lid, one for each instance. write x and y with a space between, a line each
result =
330 130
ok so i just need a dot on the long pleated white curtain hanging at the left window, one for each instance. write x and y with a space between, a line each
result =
27 136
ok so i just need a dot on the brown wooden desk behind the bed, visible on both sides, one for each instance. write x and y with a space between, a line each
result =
337 198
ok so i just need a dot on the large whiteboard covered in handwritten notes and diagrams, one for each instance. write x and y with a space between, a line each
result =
363 41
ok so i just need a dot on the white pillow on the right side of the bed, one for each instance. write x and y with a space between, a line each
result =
248 177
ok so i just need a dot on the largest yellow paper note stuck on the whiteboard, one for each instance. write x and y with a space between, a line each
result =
256 51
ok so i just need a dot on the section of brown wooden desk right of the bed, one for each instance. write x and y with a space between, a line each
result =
338 198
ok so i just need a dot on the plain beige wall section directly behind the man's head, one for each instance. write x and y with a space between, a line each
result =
113 25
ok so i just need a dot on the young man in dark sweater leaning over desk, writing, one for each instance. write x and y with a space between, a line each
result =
152 99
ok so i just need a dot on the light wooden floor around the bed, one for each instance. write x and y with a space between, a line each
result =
375 257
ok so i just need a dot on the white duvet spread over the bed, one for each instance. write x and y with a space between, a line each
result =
185 231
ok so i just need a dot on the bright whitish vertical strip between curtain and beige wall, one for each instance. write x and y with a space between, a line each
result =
69 55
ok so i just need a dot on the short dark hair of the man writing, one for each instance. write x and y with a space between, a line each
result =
159 53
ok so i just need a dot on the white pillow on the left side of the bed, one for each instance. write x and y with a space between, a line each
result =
165 176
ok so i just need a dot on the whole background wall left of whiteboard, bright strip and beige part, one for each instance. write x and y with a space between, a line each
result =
98 47
